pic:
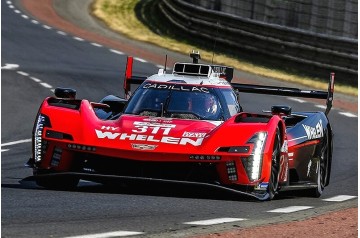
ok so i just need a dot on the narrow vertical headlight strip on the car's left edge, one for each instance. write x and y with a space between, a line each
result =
41 122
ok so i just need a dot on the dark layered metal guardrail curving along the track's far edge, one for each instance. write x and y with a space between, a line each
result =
313 54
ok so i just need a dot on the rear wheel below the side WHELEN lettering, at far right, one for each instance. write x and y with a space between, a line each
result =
322 173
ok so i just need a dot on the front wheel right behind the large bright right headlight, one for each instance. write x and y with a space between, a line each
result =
275 167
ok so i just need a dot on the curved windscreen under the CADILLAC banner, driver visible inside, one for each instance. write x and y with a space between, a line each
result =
173 100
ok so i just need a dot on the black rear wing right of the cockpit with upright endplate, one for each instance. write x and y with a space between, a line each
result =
292 92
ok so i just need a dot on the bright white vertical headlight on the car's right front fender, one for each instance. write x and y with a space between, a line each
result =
253 163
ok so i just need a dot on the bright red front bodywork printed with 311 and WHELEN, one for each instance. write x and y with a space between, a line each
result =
159 140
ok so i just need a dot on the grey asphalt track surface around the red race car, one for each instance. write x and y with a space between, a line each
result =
48 58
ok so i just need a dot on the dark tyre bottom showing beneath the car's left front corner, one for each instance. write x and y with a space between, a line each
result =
57 183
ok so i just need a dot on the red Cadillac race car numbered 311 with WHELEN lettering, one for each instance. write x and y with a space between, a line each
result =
184 127
